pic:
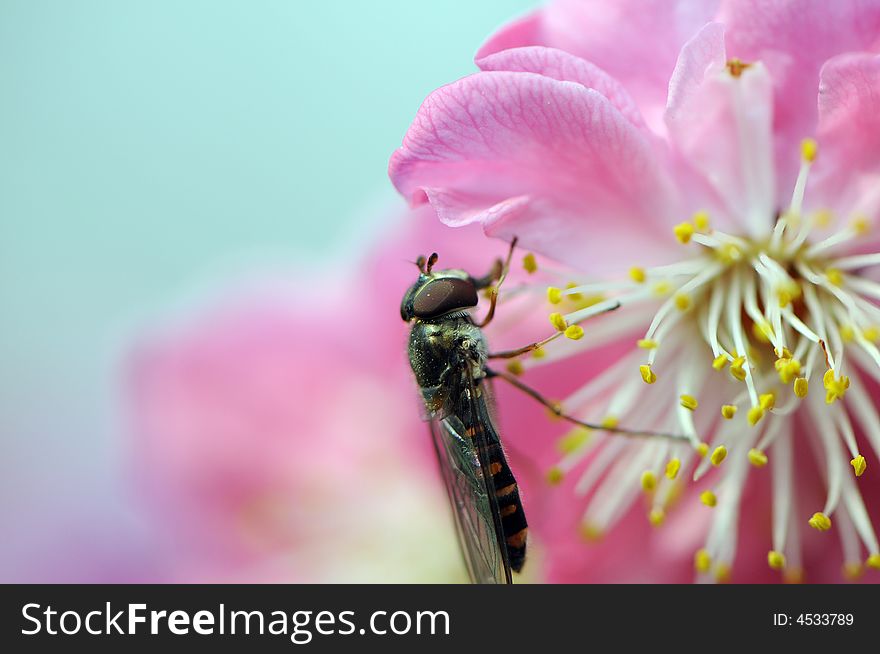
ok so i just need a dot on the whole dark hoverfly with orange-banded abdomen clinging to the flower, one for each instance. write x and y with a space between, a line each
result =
448 354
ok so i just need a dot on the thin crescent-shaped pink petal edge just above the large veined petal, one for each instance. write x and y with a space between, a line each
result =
565 67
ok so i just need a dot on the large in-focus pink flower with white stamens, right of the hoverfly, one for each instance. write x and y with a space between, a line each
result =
729 157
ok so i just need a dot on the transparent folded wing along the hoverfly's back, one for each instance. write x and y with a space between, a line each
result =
472 497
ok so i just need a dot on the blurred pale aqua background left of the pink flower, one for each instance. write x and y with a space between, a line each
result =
149 148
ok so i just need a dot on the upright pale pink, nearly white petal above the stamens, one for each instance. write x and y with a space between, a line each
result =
721 125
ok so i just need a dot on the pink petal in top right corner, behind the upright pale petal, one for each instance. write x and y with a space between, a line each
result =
794 39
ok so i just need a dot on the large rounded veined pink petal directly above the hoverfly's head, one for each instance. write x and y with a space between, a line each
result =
546 160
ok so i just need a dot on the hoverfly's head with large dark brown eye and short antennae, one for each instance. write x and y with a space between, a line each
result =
438 293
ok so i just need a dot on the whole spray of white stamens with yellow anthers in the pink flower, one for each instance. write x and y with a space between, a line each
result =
743 328
